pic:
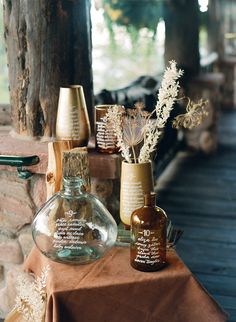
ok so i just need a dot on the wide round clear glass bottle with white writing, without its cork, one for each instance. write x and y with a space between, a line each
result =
74 226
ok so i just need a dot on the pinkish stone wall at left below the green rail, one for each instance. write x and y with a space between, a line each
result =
19 200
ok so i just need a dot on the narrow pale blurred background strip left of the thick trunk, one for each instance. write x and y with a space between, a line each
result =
4 93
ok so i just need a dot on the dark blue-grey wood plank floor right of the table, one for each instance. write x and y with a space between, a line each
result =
199 195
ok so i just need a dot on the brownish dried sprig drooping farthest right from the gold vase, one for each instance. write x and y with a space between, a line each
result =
195 114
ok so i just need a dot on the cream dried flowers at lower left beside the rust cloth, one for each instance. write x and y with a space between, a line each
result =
31 296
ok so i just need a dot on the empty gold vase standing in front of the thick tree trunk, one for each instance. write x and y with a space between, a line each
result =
72 116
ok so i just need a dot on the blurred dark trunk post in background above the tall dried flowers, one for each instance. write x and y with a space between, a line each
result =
182 34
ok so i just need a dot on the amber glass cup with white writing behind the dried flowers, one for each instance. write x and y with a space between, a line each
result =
105 138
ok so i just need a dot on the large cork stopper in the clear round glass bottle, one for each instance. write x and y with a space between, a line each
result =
75 163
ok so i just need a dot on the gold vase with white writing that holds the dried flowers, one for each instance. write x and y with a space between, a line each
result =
136 181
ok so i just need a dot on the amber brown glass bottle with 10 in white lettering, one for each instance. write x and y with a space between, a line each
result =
148 236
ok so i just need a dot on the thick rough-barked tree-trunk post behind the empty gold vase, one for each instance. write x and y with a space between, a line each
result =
48 46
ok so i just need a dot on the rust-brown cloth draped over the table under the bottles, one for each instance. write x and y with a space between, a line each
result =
110 290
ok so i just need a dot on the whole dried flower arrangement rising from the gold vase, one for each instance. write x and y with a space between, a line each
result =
135 126
